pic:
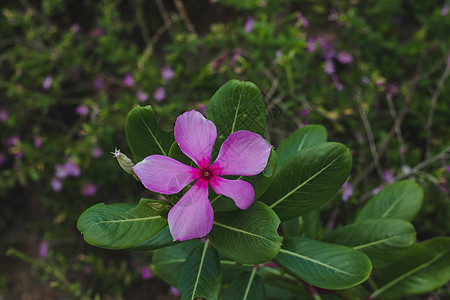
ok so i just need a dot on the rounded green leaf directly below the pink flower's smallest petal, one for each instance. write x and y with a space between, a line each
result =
247 236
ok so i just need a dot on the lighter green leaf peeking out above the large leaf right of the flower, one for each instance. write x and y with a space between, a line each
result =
303 138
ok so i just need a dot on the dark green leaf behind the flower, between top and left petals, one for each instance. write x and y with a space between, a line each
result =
144 135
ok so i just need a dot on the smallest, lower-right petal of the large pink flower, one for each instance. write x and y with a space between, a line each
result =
240 191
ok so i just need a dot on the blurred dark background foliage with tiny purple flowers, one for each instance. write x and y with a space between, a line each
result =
374 73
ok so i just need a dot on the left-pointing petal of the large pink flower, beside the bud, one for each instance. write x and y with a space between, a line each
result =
164 175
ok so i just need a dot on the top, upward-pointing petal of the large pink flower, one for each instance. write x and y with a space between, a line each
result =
196 136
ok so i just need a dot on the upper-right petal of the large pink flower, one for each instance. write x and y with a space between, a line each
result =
243 153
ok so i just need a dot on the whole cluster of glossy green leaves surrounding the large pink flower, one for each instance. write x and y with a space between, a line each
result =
303 174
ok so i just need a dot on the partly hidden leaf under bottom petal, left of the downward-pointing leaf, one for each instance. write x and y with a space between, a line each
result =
168 262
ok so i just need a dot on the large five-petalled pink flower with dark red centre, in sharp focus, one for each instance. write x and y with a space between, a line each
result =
243 153
